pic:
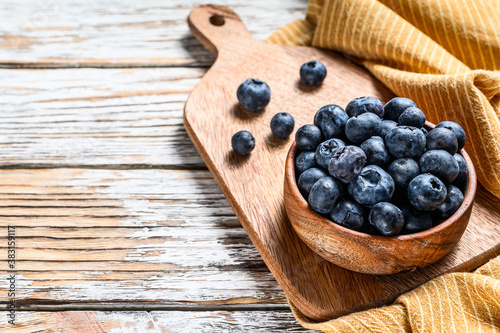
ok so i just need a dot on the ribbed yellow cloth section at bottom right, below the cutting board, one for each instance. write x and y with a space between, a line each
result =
456 302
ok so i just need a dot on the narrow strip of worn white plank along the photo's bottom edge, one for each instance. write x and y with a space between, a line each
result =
154 321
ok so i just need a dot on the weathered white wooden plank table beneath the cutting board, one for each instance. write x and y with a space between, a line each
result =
119 225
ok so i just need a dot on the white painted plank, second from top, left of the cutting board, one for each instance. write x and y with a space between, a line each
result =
117 118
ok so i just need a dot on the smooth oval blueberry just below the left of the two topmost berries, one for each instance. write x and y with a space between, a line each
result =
363 127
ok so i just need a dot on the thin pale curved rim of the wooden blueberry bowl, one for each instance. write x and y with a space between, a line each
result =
469 195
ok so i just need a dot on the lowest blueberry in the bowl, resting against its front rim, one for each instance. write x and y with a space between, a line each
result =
387 218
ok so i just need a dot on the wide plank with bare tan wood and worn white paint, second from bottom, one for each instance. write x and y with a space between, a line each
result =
161 237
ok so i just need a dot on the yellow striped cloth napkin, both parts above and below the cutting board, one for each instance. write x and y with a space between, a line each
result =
445 55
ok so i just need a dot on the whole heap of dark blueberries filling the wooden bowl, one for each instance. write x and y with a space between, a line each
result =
376 169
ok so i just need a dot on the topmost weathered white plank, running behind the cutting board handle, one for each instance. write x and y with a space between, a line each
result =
145 33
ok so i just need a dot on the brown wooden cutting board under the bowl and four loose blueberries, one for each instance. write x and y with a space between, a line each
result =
253 184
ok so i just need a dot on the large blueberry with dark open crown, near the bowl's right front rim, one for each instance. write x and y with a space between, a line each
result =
426 192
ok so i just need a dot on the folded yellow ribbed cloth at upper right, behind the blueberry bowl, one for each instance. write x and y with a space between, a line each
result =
443 54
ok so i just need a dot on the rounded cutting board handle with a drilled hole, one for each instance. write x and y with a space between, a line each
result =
218 26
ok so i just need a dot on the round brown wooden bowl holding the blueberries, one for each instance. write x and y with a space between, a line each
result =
371 254
